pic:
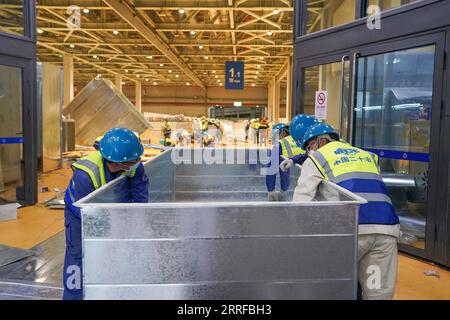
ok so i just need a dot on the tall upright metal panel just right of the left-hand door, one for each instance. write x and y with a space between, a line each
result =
51 117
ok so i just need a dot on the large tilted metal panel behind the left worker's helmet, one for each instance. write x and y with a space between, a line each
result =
99 107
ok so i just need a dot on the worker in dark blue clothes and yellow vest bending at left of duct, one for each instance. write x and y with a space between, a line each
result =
119 154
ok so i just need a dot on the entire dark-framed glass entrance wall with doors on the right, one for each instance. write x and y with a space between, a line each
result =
388 93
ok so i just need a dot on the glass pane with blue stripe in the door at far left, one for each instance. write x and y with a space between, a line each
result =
11 136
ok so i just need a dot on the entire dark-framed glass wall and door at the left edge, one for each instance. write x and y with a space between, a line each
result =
18 134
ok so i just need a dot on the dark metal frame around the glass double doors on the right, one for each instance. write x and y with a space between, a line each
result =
437 38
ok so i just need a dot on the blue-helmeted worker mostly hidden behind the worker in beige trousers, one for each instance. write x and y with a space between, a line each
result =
298 126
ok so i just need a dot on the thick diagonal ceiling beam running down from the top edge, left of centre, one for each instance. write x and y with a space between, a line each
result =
129 15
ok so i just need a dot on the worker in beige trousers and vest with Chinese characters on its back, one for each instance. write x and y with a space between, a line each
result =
357 171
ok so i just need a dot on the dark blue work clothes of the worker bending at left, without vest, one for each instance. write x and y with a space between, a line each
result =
81 184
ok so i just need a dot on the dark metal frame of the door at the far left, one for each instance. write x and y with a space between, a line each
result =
28 195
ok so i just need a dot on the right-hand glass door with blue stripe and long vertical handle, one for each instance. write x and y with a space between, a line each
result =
396 113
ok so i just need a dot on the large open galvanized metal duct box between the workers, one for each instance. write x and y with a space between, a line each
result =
235 247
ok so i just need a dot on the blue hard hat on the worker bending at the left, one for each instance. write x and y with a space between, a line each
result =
121 145
